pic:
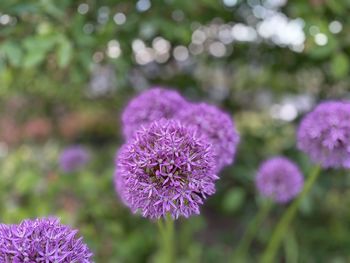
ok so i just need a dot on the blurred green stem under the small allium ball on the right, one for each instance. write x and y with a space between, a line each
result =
241 251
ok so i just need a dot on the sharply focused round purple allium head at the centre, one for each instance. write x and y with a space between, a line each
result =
166 168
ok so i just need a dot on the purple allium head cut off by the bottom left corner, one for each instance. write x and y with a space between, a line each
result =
42 240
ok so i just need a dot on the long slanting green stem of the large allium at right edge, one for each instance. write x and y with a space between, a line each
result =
282 226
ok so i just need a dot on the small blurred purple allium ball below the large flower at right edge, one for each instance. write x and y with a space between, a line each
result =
279 179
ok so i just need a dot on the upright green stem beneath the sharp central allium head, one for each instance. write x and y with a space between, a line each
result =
167 239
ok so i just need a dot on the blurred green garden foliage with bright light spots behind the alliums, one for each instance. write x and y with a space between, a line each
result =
68 67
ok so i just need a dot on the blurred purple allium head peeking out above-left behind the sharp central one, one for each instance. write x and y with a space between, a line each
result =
151 105
